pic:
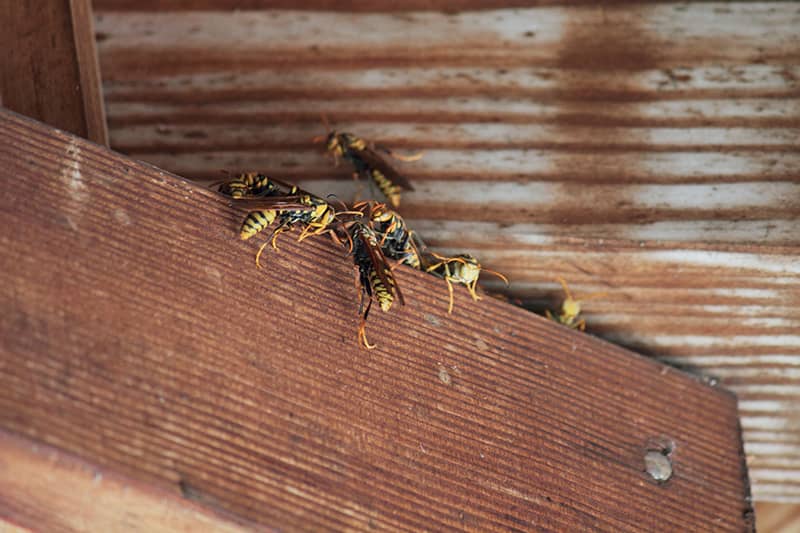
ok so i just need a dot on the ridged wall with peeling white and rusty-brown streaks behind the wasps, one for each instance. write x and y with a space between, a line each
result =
648 150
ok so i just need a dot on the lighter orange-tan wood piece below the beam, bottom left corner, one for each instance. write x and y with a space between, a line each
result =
45 489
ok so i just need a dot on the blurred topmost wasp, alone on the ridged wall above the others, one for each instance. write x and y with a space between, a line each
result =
368 163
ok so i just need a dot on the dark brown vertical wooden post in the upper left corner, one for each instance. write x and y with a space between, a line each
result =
48 65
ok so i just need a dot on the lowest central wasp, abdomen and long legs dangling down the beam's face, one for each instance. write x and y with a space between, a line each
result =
375 280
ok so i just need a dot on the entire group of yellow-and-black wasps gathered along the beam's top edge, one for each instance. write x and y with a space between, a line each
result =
374 232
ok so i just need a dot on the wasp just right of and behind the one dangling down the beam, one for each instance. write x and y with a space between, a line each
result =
397 241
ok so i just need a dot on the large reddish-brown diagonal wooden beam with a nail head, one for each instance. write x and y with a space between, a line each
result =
137 332
